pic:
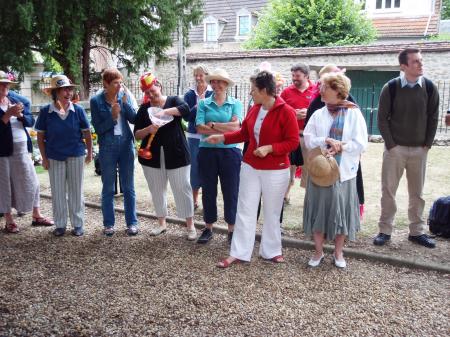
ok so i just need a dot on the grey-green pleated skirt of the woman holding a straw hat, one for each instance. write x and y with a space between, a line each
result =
332 210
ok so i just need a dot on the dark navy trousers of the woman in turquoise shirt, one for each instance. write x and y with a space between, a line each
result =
223 163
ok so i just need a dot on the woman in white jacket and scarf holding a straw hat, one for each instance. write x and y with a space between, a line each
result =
338 135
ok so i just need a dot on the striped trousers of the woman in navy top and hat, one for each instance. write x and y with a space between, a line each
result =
66 183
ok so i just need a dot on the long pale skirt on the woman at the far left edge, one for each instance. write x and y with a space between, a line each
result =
20 186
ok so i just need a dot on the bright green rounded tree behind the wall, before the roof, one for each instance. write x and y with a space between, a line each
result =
309 23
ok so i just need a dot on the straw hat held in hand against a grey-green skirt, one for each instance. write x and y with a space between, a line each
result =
323 171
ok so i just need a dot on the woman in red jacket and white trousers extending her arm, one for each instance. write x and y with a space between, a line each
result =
272 132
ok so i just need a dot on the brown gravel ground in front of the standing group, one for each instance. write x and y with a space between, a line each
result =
167 286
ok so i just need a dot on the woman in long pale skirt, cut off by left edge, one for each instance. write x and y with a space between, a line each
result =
20 185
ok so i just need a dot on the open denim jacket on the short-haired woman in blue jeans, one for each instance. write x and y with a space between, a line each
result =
103 122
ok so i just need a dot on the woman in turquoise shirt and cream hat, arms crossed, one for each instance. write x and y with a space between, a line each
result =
218 114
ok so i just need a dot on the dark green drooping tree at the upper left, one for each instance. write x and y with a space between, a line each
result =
67 31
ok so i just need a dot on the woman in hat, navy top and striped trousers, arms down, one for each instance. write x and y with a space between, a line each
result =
61 127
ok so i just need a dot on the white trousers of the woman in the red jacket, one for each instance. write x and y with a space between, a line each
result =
272 184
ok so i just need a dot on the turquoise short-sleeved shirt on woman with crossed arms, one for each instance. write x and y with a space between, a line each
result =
209 111
